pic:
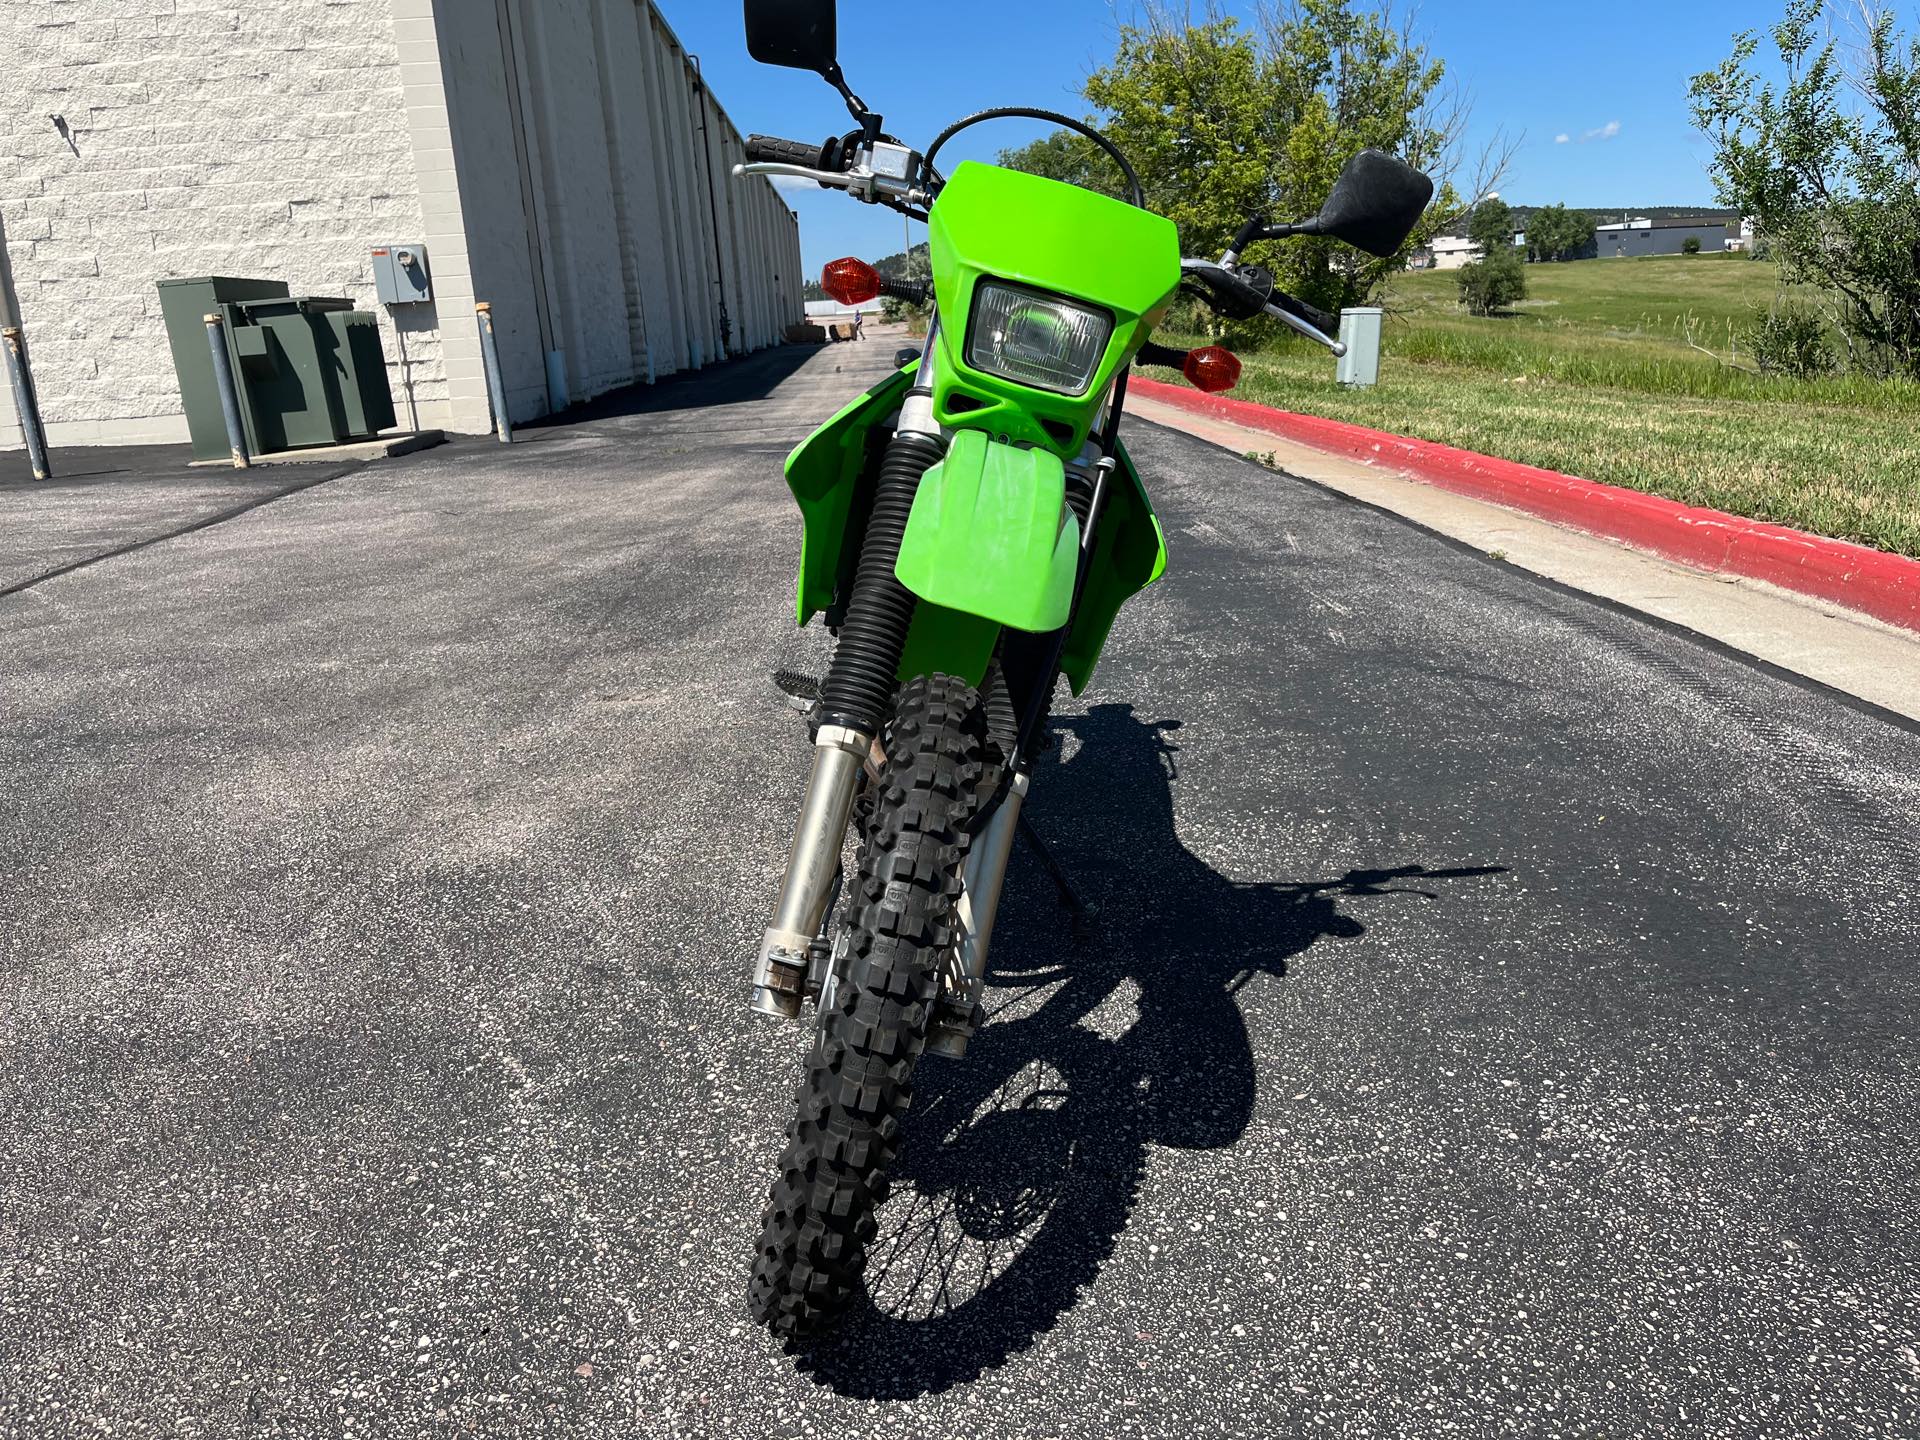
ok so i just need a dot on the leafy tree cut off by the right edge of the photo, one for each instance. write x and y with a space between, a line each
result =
1825 158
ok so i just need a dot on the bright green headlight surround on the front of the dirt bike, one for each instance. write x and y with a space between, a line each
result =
1001 226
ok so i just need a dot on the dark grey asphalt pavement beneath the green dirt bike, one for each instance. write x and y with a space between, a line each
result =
1497 1017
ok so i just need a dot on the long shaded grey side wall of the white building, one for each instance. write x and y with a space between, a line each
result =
590 231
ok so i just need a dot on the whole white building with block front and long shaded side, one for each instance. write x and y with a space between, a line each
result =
558 158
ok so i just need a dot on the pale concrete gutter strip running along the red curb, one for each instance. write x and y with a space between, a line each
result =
1852 654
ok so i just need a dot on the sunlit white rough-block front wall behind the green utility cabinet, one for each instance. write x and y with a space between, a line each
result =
210 137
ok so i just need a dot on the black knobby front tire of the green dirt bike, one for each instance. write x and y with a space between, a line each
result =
901 924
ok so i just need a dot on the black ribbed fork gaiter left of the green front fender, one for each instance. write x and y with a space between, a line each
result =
859 686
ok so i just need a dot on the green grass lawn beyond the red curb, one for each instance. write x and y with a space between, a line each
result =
1598 375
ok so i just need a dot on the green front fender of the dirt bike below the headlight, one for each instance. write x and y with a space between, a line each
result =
992 535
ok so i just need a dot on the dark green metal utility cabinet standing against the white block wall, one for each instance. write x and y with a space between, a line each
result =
310 370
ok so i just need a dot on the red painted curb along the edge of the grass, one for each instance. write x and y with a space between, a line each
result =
1869 581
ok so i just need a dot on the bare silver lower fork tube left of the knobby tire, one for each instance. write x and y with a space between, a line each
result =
780 972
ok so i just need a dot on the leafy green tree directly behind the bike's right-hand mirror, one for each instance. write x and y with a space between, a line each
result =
1226 122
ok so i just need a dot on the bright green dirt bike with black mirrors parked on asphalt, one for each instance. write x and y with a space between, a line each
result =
972 527
